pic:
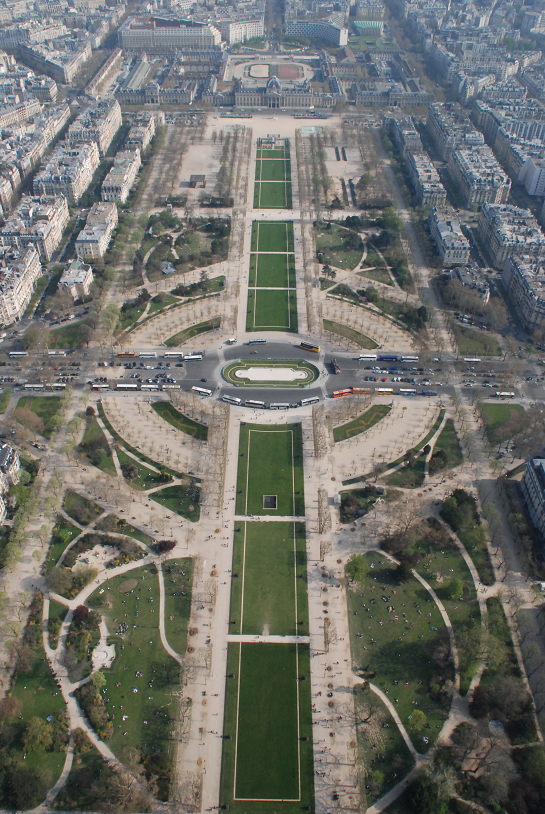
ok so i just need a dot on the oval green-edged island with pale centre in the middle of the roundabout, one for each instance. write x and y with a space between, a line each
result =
270 373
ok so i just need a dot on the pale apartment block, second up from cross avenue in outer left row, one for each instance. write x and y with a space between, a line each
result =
37 221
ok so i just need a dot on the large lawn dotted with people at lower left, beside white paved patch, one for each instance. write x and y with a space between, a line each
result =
152 710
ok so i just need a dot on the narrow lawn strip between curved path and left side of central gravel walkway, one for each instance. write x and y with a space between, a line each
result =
178 577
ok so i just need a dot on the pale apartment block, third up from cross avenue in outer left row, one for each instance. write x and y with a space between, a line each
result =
68 172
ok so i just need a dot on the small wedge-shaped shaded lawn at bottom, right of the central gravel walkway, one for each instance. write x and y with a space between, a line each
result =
380 736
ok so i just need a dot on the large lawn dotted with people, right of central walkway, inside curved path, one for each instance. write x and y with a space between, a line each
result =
413 659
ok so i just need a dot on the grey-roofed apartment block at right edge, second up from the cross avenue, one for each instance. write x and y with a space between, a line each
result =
508 230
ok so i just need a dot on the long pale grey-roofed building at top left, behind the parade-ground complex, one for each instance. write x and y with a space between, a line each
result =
145 33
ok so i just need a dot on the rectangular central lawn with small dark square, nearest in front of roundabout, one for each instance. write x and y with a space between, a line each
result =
275 467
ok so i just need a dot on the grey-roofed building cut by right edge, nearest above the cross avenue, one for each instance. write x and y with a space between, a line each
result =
524 283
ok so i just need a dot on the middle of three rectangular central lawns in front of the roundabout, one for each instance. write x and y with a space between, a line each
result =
259 602
